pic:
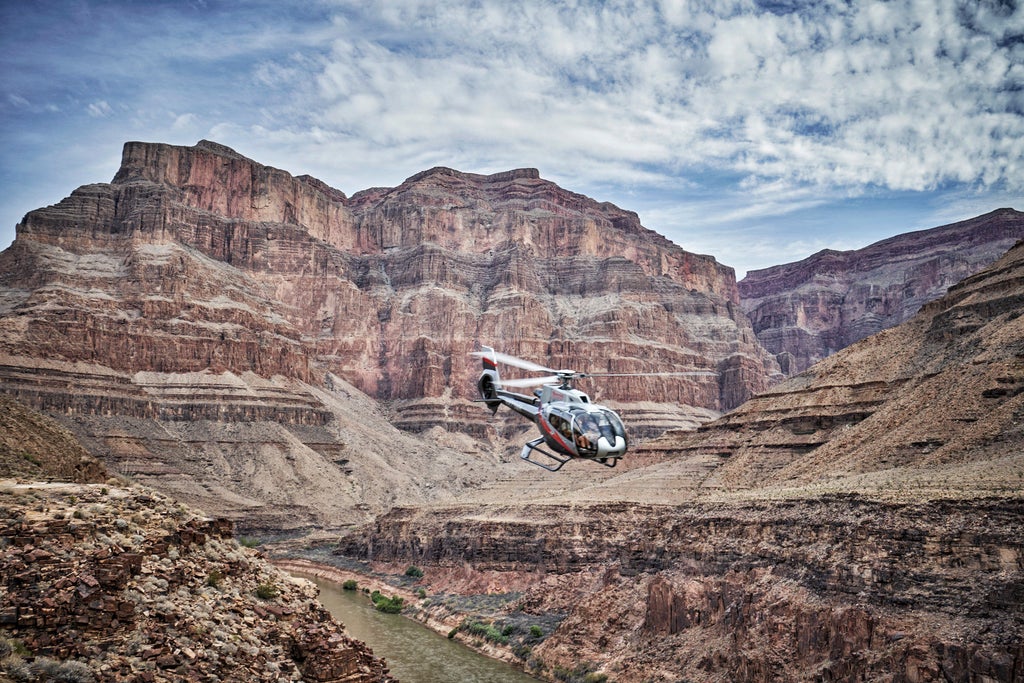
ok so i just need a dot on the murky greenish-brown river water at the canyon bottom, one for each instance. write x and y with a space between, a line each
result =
414 653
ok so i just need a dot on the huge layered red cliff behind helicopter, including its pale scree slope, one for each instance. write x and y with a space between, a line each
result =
211 326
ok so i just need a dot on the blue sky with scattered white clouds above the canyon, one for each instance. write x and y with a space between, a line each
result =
759 132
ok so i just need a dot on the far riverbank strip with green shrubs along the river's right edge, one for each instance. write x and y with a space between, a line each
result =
481 629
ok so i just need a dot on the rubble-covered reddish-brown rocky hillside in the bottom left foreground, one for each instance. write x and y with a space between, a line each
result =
113 584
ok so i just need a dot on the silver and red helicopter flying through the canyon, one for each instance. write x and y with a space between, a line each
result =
571 426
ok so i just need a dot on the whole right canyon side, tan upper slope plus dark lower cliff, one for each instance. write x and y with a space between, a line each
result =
864 521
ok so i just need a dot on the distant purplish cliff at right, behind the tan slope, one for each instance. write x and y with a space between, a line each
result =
807 311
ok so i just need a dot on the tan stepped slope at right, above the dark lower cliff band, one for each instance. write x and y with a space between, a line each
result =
934 405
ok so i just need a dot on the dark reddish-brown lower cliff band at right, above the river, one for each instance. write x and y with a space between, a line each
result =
837 588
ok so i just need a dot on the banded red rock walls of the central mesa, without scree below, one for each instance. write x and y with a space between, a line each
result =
219 263
